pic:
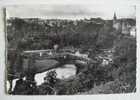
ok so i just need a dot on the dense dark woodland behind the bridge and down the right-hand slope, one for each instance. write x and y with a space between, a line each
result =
93 34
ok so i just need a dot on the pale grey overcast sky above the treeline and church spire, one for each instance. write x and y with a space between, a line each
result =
71 11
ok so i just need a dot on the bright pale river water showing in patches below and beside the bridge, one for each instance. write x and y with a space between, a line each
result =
64 72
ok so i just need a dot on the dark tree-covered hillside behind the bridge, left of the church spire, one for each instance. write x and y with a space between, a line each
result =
65 34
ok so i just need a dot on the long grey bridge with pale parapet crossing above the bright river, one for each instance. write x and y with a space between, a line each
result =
49 59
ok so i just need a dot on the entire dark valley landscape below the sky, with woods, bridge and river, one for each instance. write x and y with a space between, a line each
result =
65 57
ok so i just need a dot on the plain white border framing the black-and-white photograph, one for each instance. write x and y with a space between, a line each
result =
131 96
